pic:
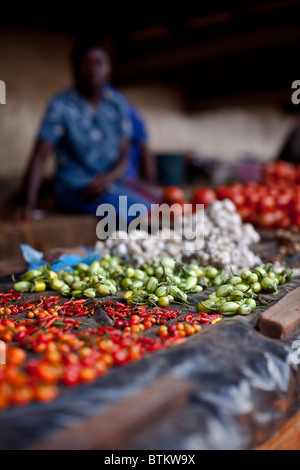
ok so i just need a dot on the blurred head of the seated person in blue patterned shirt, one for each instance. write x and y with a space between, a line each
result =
91 63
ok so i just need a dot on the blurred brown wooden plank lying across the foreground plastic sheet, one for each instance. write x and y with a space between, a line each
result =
122 422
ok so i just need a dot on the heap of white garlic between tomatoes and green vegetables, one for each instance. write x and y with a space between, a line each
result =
224 241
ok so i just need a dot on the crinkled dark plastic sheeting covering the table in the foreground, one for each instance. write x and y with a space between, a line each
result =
243 387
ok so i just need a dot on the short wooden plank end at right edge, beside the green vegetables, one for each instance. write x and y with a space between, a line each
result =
282 318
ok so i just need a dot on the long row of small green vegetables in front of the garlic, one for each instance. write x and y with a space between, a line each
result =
160 283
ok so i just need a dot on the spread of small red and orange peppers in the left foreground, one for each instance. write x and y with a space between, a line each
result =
46 346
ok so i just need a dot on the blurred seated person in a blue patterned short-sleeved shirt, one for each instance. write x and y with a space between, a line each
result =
90 129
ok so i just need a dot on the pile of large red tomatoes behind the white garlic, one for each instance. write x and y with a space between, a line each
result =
272 203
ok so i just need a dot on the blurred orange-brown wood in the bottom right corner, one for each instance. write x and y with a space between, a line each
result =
287 438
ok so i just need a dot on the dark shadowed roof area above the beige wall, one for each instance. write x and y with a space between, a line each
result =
217 52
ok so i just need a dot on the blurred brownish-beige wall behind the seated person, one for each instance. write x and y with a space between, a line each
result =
35 65
